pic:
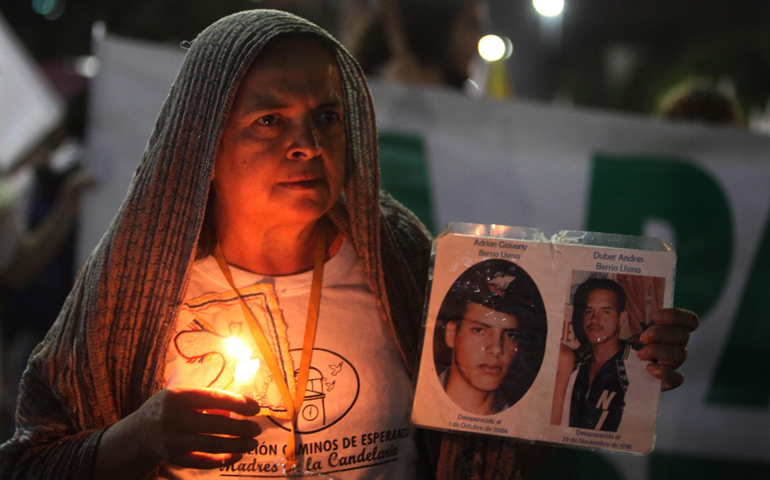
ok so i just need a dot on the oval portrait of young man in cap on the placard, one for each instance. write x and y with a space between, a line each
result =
491 348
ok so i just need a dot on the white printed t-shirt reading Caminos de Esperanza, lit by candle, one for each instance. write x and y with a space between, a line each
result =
353 423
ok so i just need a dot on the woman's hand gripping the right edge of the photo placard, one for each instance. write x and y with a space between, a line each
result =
666 344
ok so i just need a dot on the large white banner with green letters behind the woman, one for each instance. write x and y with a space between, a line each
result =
452 158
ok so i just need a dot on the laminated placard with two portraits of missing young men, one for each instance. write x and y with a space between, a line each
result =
537 339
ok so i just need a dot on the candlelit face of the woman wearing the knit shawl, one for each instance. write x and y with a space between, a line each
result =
282 153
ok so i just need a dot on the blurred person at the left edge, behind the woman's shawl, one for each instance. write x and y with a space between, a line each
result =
39 211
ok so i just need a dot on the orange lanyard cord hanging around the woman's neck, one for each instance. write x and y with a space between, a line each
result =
294 406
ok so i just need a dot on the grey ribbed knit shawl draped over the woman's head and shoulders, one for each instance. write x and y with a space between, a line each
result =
105 355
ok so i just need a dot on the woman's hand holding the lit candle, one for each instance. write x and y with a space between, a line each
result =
184 426
